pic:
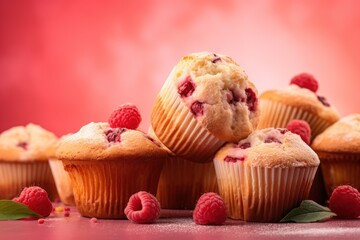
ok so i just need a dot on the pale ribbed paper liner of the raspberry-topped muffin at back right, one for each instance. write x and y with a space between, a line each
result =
277 115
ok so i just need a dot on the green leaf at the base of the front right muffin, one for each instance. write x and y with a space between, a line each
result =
308 211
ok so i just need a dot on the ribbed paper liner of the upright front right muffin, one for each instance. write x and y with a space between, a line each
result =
257 194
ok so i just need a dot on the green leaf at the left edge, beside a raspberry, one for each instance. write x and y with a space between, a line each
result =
11 210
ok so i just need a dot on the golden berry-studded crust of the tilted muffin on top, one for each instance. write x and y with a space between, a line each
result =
214 83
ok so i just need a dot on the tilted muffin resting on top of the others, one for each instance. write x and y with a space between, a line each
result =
207 100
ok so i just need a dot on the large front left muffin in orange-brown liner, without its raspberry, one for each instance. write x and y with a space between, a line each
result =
107 165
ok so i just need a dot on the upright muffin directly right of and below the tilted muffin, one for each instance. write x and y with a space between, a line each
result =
265 175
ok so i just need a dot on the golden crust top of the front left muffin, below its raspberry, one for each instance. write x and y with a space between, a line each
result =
90 143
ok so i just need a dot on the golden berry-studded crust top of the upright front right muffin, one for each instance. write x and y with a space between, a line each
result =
291 152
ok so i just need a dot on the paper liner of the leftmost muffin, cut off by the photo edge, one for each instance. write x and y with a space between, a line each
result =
15 176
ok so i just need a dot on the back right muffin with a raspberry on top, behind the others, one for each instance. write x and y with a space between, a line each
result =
297 101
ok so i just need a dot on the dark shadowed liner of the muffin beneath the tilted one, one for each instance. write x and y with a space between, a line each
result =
182 182
